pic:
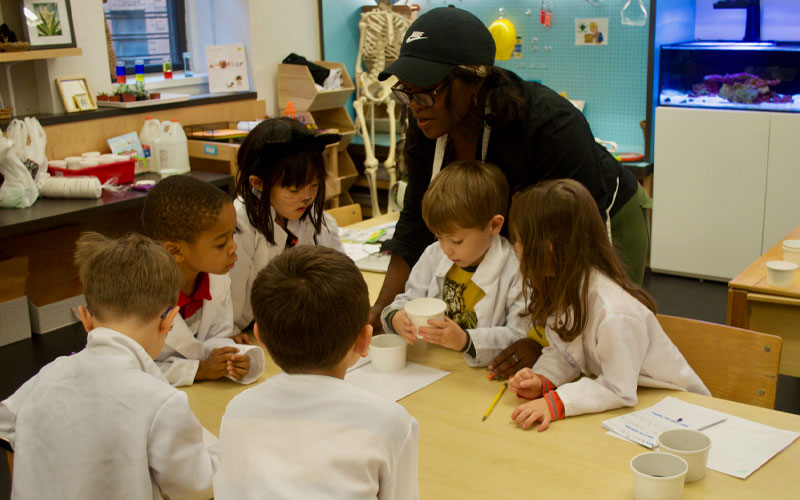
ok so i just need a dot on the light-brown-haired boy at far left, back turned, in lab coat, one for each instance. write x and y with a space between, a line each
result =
104 423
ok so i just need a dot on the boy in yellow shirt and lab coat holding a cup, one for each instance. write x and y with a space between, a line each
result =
471 267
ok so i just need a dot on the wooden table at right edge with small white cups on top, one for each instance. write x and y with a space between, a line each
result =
756 305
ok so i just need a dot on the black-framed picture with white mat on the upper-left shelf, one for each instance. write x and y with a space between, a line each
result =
48 23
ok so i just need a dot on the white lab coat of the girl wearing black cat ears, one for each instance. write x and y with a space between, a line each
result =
255 252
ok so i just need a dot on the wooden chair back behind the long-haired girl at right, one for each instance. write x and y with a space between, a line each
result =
734 363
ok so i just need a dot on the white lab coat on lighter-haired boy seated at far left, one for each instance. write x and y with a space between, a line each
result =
104 423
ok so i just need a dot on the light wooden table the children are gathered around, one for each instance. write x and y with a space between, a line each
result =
462 457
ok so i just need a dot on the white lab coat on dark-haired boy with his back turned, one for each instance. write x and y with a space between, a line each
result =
316 437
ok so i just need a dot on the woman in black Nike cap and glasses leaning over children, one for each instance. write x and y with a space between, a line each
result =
465 108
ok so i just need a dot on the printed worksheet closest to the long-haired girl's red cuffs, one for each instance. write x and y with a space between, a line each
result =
644 426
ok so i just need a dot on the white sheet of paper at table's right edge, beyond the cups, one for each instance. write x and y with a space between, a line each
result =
739 447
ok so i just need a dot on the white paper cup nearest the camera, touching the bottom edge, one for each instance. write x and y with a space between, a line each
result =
658 476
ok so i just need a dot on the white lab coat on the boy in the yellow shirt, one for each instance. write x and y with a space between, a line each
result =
498 312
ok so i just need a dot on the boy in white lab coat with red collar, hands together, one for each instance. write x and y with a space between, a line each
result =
195 221
